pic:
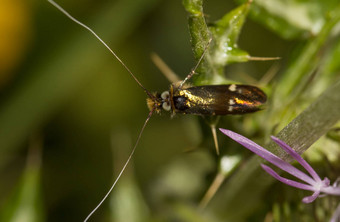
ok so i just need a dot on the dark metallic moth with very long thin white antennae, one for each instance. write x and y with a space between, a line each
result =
206 100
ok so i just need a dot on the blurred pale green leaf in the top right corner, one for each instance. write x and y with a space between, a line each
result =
292 18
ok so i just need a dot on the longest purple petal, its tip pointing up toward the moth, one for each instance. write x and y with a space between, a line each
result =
270 157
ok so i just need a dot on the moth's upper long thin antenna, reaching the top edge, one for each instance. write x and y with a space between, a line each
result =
114 54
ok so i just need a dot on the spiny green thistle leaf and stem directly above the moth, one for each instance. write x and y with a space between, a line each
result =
223 50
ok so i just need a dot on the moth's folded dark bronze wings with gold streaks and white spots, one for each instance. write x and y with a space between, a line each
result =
219 99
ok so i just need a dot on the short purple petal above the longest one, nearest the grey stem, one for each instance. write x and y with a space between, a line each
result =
296 156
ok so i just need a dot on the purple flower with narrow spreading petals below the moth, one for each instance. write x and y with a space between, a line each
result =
311 182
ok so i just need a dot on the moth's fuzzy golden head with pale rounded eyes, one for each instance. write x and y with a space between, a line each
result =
159 102
